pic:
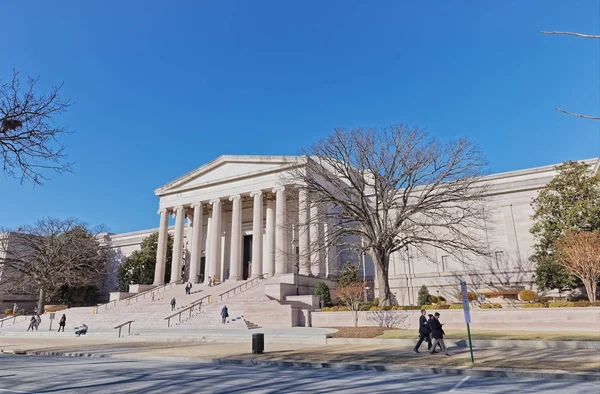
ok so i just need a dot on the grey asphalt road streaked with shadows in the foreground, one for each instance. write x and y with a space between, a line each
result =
31 374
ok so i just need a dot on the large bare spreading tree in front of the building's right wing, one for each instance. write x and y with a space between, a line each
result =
381 191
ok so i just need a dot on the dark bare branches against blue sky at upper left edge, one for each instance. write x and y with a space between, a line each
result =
29 139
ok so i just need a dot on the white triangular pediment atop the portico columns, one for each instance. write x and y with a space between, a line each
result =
226 169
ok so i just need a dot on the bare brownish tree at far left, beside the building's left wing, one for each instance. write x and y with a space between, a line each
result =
50 254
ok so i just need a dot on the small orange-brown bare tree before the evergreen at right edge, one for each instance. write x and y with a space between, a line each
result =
579 253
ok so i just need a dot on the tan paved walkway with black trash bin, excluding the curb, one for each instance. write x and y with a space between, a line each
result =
581 360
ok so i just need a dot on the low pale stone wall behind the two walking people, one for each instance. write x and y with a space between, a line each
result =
547 319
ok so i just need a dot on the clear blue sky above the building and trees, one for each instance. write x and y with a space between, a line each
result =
162 87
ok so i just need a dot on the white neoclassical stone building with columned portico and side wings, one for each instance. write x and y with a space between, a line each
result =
232 221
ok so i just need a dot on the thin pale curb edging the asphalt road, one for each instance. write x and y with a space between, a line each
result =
476 371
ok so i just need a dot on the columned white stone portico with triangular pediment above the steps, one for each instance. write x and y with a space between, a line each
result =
232 213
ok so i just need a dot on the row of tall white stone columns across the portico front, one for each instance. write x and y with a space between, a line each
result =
271 262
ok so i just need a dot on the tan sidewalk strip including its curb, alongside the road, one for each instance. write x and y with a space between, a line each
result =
513 362
